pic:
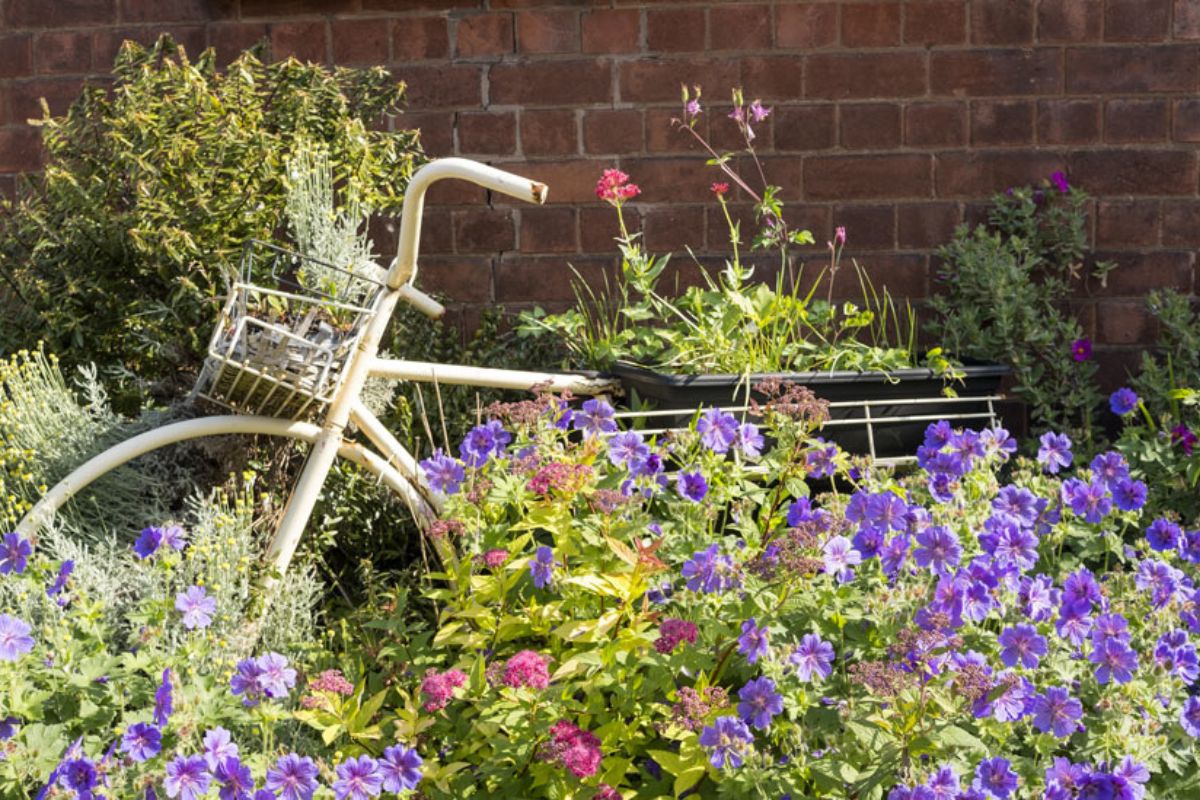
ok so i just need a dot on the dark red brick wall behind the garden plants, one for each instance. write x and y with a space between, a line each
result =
896 119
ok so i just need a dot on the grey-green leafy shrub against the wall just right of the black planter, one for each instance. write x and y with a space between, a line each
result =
1004 297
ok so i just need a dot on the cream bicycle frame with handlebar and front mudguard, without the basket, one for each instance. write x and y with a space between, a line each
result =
397 468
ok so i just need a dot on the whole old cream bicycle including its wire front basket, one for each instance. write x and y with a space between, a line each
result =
293 362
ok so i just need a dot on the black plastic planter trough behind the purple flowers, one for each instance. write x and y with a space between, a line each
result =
871 413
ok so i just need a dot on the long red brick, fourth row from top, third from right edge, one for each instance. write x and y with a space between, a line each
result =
835 178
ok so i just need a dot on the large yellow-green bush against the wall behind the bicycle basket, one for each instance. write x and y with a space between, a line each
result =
117 252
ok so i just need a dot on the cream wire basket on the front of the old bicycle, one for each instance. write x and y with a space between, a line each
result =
283 350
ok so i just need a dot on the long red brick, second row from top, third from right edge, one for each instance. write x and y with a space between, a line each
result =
867 75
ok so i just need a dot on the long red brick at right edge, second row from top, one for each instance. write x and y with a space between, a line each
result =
1111 70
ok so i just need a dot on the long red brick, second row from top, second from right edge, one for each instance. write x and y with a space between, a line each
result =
995 73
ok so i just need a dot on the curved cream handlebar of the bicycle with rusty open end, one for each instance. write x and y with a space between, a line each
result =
404 269
